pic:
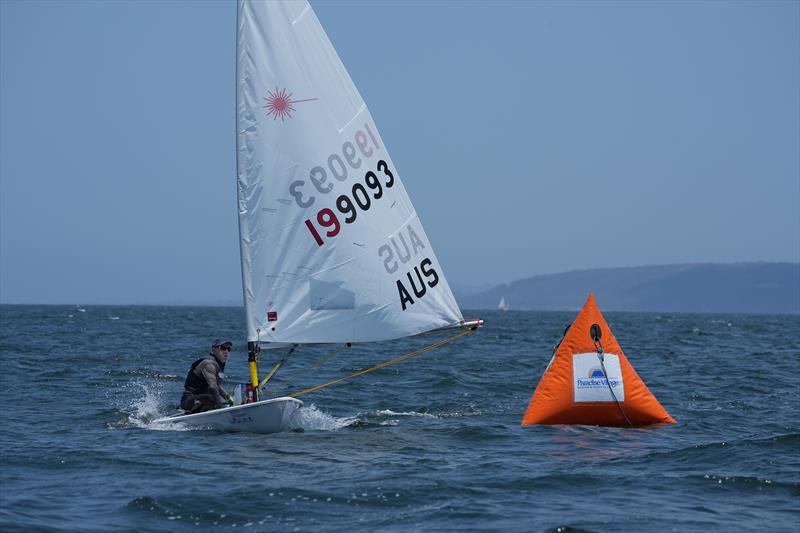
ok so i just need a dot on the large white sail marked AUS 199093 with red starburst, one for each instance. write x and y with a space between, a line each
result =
332 248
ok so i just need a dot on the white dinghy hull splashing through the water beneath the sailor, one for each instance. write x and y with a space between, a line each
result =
266 416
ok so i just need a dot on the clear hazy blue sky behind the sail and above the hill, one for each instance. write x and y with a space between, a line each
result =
532 137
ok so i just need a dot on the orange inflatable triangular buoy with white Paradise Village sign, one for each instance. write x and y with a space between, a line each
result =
574 388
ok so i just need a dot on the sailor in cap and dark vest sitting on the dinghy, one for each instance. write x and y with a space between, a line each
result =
203 388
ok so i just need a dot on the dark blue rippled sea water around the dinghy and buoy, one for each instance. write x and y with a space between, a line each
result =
433 443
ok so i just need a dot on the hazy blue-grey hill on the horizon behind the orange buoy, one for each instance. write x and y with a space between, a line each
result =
717 288
